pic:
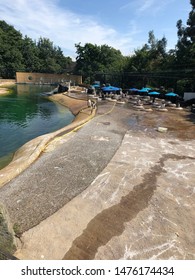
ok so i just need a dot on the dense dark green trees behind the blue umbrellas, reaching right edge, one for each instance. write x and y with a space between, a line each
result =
151 63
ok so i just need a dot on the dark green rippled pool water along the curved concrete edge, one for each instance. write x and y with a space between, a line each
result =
26 113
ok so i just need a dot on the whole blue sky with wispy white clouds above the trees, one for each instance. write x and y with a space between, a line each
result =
122 24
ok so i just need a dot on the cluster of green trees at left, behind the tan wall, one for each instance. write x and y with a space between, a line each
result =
23 54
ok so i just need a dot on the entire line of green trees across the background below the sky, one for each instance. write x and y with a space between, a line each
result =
150 63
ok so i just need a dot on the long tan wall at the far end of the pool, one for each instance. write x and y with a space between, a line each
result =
44 78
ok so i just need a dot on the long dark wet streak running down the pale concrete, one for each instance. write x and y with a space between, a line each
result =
100 230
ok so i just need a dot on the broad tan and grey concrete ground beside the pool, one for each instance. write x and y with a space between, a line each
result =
114 189
